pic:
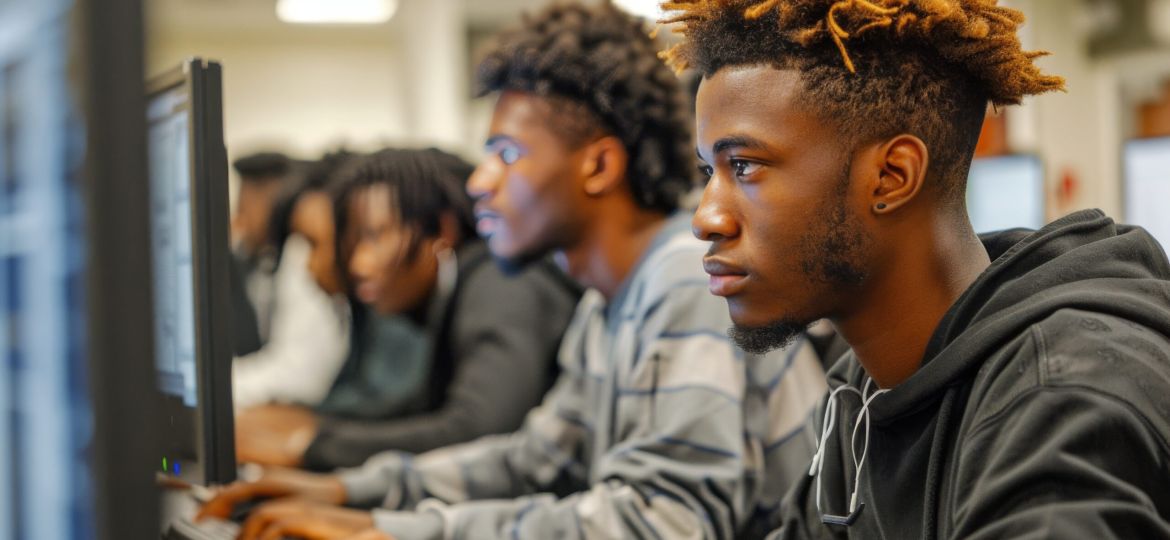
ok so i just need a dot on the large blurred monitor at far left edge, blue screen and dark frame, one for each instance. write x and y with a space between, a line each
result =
75 364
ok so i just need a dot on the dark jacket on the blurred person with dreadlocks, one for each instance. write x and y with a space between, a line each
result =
493 356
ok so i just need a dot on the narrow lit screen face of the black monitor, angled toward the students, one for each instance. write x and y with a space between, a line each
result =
173 245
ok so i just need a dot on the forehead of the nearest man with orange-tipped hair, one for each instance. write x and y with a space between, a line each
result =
760 102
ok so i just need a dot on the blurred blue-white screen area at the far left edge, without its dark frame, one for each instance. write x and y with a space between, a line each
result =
45 417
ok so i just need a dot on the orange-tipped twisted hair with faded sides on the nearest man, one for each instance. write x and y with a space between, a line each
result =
877 68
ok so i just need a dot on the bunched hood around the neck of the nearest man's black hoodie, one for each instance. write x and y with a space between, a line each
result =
1083 261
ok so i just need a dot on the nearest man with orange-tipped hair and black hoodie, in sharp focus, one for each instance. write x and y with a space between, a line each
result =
1015 385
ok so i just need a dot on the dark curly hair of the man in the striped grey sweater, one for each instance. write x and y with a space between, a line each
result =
598 70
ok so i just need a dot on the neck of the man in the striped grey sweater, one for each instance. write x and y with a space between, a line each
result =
615 241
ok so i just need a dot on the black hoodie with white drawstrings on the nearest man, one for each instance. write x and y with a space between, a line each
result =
1042 409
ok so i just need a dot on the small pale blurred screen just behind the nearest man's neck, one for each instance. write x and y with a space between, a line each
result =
1006 192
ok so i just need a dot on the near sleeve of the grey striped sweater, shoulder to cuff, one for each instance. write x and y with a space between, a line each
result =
676 468
